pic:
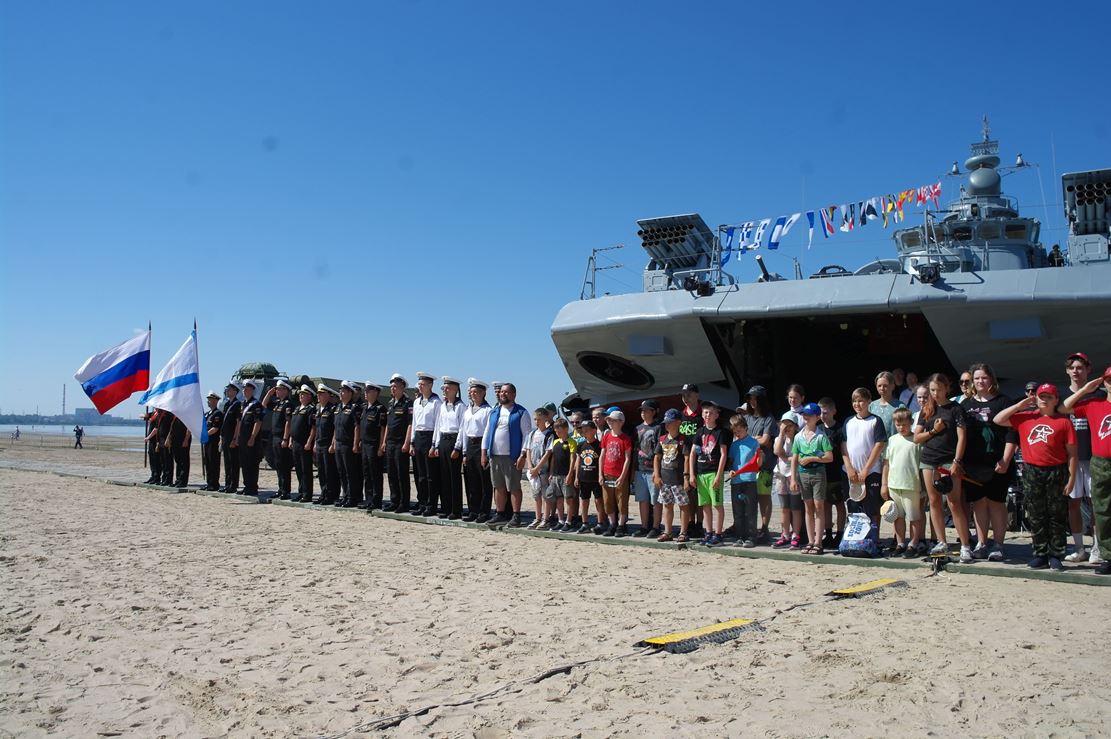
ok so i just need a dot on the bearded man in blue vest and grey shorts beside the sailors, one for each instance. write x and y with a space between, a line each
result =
505 453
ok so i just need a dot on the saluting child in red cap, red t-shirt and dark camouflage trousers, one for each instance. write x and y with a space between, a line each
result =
1049 460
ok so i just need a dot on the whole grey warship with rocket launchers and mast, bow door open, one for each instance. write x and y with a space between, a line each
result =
973 283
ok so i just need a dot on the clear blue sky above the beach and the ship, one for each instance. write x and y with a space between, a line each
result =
359 188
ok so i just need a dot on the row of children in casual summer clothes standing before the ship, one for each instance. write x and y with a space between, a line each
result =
955 450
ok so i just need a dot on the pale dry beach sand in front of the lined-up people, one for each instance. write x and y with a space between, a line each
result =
138 613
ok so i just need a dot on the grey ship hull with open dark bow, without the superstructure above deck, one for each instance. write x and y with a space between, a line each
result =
833 335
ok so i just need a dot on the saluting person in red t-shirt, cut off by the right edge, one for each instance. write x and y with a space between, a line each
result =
1097 412
